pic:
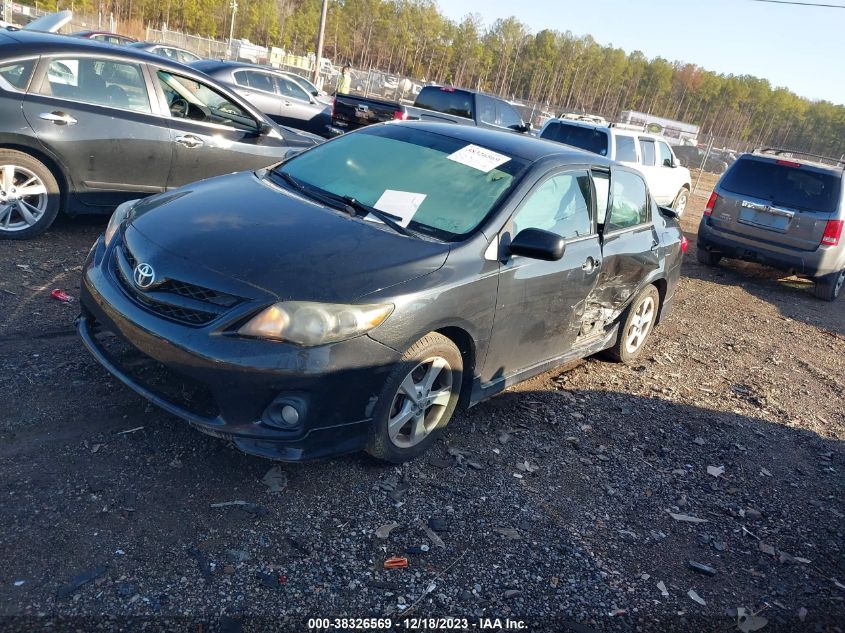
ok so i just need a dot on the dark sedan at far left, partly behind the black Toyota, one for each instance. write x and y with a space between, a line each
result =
85 125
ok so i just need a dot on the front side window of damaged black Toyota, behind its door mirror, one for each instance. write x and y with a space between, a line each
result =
561 205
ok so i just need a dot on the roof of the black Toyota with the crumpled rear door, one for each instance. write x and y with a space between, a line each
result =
530 148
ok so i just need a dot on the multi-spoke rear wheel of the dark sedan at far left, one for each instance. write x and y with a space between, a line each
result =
26 216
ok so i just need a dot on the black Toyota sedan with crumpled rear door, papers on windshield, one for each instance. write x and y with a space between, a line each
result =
358 294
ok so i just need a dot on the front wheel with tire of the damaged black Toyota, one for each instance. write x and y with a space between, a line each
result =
401 428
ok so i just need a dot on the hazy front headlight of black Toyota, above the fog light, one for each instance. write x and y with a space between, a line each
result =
308 323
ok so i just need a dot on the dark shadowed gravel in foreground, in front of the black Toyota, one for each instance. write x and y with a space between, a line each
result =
560 498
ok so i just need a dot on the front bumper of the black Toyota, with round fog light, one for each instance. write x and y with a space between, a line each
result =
234 381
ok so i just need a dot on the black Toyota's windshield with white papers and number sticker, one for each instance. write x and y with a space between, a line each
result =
432 184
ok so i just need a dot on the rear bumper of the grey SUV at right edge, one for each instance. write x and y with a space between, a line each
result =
822 261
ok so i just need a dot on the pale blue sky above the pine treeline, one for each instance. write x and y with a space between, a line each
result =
797 47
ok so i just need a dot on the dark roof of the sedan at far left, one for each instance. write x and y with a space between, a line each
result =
23 43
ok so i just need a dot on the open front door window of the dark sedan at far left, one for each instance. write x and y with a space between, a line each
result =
191 99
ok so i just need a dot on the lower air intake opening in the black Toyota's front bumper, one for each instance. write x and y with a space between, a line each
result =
182 391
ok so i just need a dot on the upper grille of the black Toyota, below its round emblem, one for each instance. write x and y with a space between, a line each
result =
166 299
